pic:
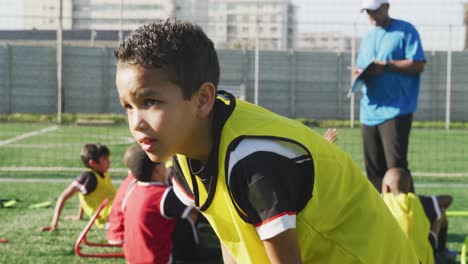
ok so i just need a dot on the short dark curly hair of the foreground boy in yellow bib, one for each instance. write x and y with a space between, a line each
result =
180 48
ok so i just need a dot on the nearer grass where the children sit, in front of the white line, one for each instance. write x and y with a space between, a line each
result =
28 245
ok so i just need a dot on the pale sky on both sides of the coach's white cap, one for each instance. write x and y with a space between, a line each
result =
431 17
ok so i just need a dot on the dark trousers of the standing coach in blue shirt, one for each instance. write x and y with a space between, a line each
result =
385 147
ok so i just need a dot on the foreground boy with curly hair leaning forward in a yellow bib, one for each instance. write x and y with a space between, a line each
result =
272 189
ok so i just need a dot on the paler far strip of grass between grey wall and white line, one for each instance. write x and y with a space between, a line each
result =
431 150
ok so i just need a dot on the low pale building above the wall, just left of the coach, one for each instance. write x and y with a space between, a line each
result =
327 41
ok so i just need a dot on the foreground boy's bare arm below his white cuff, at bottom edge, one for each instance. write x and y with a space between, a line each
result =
283 248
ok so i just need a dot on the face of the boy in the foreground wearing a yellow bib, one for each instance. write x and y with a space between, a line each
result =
159 118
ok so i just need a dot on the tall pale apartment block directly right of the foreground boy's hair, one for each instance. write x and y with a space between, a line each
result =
237 23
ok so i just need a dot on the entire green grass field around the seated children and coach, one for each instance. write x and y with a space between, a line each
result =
29 152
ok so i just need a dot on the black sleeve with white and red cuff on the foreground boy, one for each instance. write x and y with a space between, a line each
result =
270 189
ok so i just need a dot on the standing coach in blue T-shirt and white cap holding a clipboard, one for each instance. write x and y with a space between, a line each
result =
395 56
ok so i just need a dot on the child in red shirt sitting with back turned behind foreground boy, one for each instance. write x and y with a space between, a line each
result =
151 211
